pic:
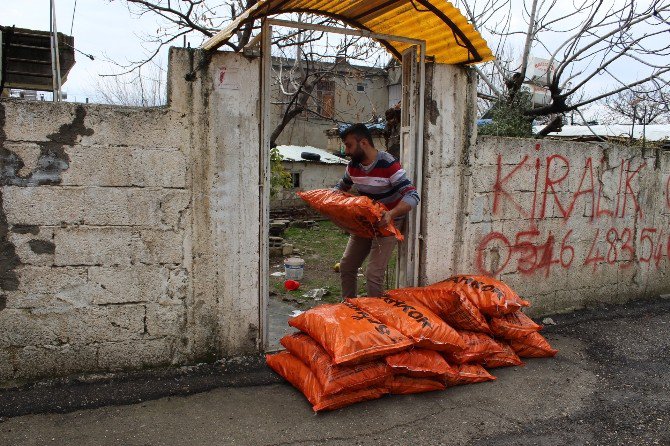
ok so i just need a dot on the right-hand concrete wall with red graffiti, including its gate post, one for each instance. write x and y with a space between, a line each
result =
566 224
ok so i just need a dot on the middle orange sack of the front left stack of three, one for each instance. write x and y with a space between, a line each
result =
334 378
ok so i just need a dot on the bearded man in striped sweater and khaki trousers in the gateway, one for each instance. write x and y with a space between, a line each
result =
379 176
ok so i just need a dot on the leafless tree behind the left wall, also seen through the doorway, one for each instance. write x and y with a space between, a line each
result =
302 60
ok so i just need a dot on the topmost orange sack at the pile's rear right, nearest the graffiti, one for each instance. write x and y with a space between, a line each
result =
491 296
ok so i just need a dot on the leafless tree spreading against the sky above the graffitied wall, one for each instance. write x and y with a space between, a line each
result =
591 43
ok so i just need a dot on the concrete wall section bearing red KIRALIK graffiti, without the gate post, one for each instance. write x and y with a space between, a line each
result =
568 224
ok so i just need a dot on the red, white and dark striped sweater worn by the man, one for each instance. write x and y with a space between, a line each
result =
384 181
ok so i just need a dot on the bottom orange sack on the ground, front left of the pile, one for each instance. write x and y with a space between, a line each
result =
302 378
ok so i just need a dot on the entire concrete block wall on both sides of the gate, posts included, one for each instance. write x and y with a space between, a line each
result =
130 238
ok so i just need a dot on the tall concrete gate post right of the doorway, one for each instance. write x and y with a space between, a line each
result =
449 133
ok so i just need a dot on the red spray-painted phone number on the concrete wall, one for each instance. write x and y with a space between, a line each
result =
533 256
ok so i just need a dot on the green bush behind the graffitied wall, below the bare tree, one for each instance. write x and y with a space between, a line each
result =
509 119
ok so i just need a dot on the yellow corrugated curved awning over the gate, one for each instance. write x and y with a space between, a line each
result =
449 38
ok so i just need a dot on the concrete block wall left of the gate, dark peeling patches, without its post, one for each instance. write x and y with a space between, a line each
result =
93 221
